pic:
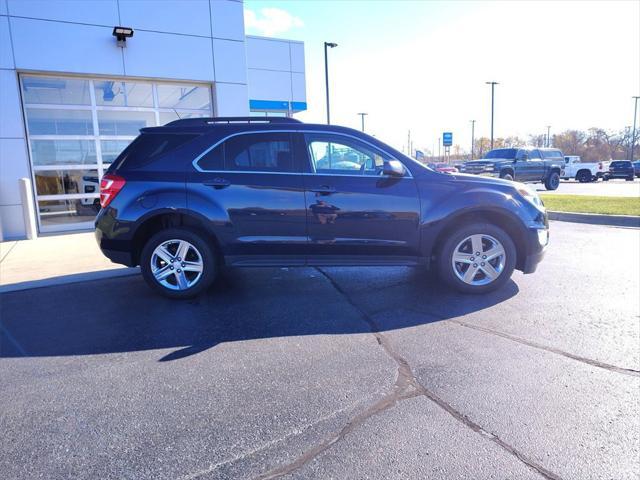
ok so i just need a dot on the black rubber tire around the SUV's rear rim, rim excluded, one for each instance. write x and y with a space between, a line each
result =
205 250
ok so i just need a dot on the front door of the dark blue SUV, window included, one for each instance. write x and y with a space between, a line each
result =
355 213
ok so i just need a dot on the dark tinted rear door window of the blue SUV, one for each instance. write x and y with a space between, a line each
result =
264 152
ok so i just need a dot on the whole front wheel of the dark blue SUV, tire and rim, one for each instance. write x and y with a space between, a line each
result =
477 258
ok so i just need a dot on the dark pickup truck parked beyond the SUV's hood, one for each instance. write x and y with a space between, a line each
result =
535 165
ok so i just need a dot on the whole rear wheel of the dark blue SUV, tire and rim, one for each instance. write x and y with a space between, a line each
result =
178 263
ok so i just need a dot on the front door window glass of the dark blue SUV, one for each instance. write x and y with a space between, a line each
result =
342 156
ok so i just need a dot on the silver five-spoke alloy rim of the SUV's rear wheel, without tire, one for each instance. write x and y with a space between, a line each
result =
176 264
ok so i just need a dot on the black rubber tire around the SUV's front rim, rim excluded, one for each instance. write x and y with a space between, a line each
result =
445 255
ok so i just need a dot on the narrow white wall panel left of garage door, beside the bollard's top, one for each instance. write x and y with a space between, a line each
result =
14 164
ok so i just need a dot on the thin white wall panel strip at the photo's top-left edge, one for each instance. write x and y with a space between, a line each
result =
97 12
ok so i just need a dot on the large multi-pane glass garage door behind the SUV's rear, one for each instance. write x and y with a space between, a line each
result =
78 126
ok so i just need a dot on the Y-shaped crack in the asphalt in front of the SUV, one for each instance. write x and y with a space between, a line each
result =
406 386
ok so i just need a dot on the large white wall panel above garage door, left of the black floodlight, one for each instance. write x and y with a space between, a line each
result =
65 47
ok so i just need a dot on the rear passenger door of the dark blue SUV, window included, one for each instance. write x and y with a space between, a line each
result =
250 187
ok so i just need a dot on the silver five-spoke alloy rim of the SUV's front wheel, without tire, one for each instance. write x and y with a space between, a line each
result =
479 259
